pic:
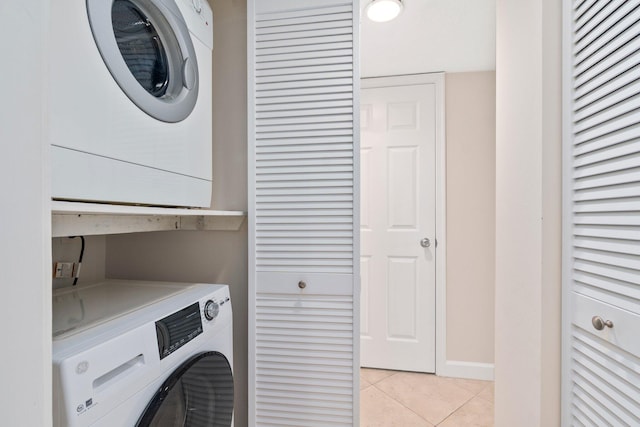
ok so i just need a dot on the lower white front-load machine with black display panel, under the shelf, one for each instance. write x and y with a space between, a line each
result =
142 354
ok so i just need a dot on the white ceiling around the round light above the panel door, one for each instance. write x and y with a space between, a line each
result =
429 36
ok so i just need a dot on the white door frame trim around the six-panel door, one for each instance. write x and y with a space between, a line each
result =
442 368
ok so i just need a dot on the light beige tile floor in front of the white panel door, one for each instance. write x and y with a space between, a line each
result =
408 399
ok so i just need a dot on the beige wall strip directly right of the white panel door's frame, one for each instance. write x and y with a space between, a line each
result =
471 199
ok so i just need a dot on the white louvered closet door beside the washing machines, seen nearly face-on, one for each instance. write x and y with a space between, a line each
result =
303 149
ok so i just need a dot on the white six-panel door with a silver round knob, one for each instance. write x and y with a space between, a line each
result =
398 191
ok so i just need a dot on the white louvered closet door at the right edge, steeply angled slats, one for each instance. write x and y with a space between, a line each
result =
602 214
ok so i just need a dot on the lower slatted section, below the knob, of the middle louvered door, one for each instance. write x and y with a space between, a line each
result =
304 361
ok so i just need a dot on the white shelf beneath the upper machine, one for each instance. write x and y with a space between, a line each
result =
84 219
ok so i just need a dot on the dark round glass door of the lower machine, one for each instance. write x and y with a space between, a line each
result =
198 394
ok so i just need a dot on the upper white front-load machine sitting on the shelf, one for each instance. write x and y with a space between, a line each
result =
130 101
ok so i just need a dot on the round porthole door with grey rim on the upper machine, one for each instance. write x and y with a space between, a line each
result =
146 46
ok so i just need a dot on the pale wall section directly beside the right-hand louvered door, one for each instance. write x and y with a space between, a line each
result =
528 213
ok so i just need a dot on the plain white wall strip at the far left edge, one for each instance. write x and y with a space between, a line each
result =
25 313
